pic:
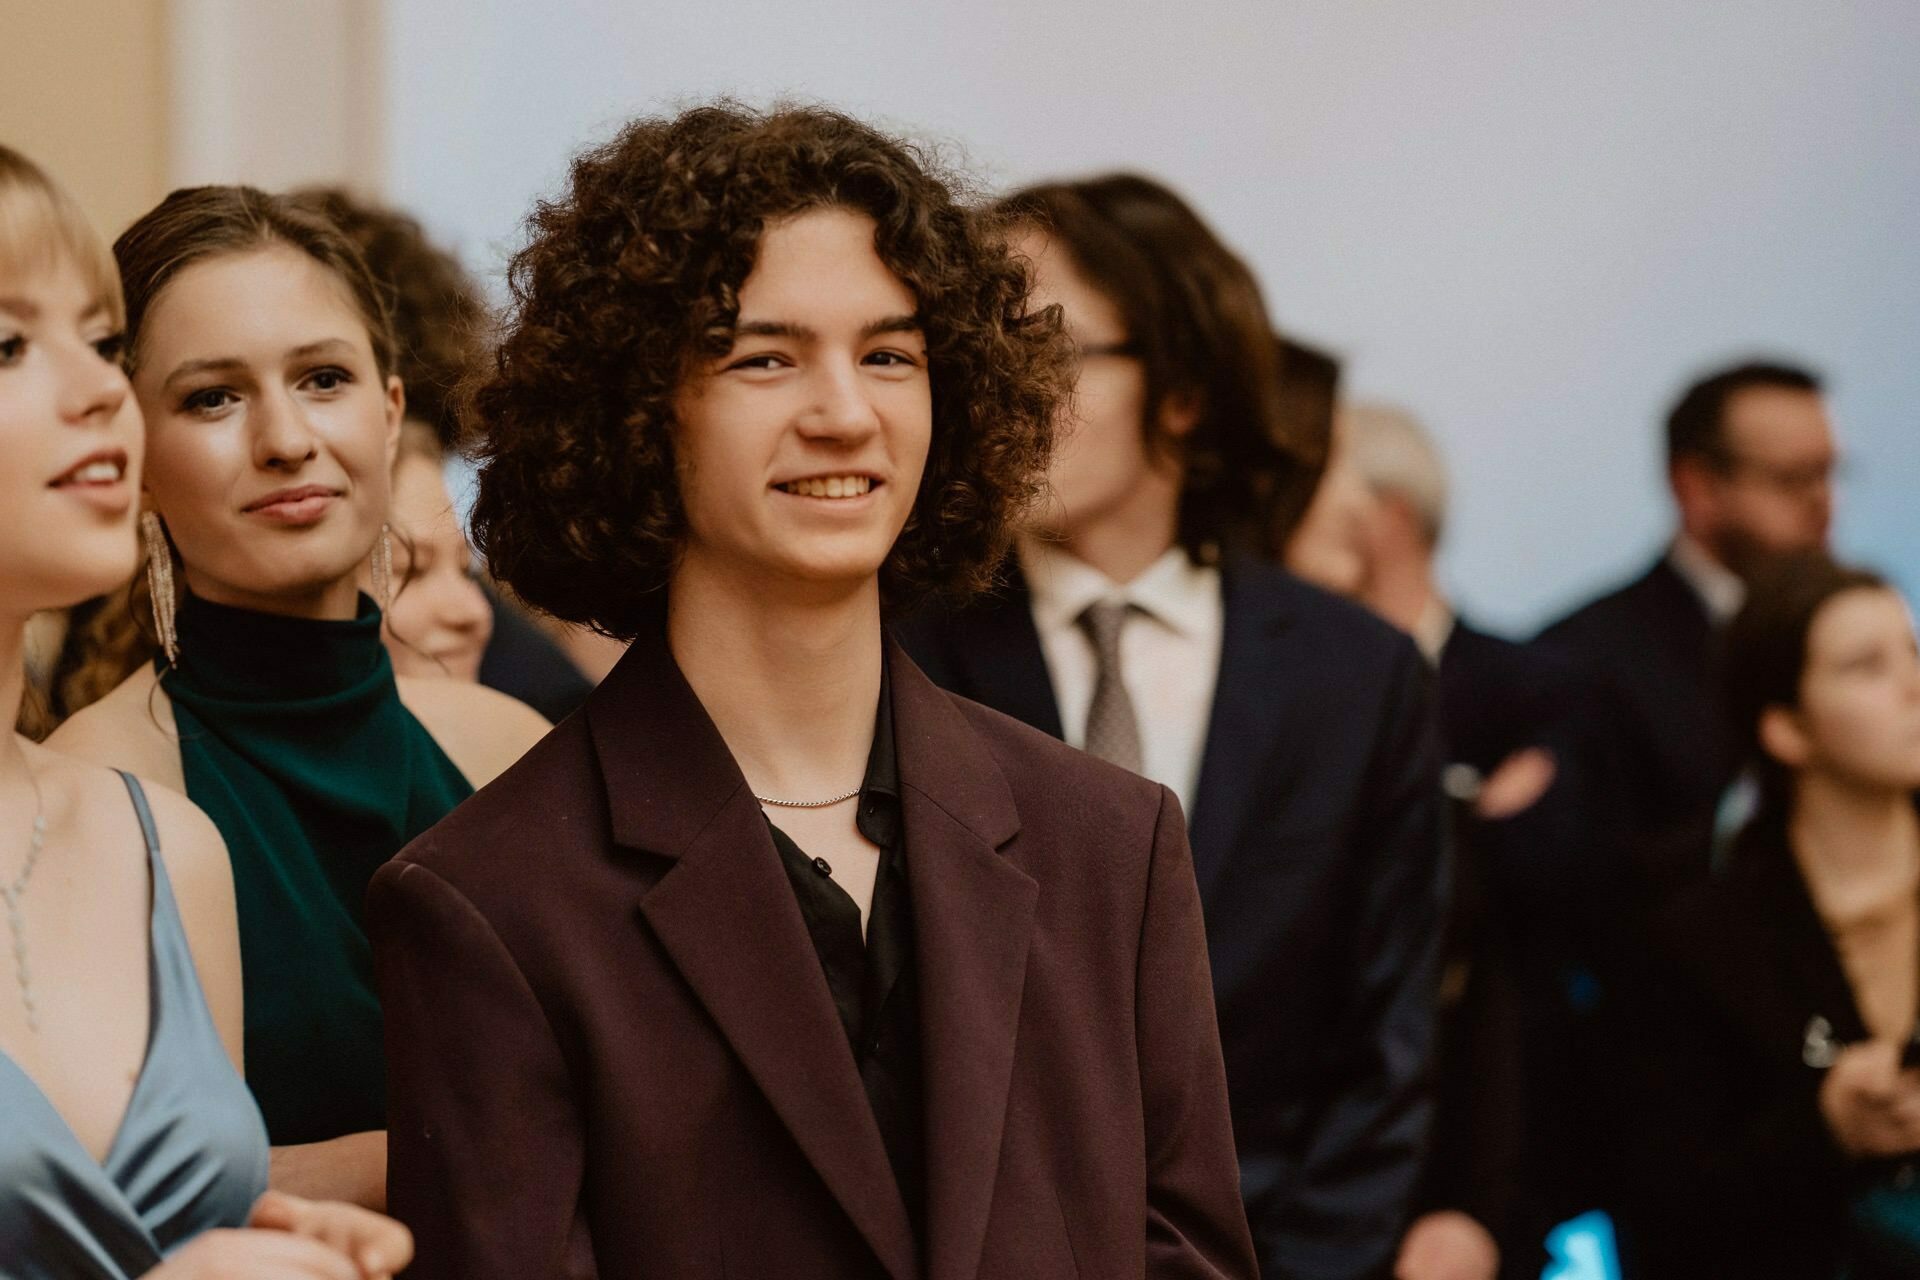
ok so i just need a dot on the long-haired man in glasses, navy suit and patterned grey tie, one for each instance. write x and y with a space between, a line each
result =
1295 726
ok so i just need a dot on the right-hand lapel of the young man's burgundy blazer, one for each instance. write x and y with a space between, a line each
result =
972 926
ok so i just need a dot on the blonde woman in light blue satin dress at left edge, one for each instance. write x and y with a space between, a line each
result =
130 1137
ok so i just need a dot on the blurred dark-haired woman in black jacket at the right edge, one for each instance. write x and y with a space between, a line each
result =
1777 1122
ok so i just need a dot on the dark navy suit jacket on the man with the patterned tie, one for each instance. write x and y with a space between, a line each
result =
1318 843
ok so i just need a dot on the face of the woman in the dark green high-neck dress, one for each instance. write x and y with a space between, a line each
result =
272 431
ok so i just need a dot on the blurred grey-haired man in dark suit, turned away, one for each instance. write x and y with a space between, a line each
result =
1508 984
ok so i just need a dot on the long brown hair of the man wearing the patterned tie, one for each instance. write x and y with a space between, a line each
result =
1199 325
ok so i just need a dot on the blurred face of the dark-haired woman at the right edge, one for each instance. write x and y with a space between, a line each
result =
1860 701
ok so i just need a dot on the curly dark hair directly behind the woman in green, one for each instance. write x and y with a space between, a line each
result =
439 314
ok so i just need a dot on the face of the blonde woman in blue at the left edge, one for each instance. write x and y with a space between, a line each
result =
70 442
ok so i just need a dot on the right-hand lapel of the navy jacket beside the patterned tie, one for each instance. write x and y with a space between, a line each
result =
1247 719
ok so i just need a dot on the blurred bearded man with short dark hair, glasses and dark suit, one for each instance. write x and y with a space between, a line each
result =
1750 460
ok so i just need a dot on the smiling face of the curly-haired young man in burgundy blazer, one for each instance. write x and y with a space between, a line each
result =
802 450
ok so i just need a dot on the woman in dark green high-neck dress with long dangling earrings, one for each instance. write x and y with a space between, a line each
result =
262 360
